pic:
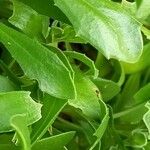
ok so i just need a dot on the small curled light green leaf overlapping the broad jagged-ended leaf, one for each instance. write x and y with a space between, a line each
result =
19 123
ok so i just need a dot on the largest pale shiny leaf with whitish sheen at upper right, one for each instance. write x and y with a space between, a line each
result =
106 26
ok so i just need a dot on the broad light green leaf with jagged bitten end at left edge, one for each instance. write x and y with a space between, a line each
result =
17 102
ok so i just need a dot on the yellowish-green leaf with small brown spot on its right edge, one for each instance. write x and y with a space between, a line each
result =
87 96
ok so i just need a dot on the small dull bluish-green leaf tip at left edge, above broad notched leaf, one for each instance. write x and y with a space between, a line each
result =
6 85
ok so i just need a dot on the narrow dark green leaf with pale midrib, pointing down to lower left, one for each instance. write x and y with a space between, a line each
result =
50 110
